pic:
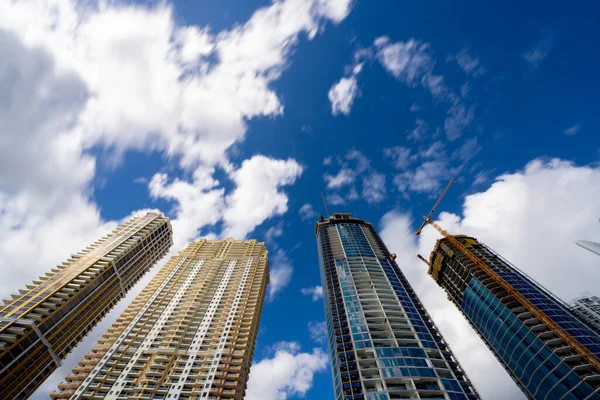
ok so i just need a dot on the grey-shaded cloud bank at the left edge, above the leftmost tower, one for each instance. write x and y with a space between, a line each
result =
46 215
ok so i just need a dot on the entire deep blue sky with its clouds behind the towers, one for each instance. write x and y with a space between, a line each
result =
230 117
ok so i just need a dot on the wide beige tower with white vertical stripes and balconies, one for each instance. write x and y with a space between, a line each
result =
189 334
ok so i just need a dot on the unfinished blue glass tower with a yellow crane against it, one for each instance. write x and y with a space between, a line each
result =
543 363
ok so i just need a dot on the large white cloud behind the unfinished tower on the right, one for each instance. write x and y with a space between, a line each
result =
551 193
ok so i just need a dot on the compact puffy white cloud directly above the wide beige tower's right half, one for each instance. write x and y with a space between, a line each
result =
257 196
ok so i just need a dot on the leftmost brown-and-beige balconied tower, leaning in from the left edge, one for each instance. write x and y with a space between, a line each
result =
40 325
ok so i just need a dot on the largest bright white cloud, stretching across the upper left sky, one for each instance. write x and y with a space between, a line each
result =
156 84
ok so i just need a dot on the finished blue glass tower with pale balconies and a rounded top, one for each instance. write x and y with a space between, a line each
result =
382 342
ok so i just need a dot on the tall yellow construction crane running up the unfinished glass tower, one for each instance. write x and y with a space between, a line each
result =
528 305
